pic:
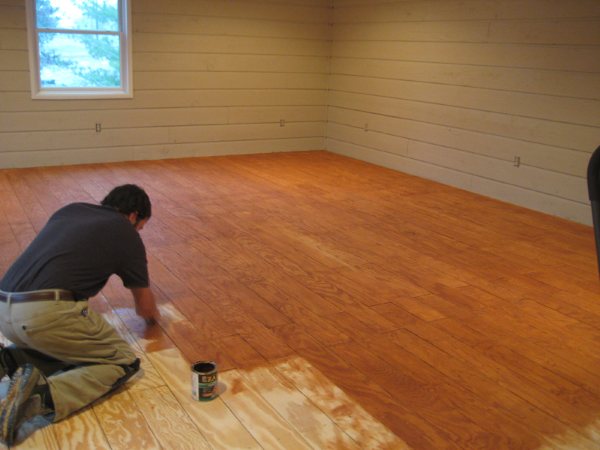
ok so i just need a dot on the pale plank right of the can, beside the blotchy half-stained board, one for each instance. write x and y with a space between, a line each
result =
312 423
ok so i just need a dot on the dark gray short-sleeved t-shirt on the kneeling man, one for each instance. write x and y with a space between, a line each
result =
79 248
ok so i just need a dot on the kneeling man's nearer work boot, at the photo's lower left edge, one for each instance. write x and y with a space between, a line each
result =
28 396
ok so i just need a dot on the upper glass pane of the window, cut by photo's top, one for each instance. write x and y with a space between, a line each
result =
91 15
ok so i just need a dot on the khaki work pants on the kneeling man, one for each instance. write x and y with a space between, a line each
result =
80 354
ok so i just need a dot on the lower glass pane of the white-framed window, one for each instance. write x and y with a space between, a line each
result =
79 60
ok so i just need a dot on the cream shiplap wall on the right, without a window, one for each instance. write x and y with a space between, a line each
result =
454 90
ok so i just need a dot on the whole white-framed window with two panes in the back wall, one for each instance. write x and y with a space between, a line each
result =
79 48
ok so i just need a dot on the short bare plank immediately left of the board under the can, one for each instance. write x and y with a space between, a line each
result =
168 421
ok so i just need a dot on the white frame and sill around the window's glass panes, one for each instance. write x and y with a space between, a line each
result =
125 38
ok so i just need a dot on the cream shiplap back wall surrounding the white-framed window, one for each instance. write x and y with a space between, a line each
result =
210 77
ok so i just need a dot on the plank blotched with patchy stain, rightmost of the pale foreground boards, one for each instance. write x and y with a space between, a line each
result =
347 414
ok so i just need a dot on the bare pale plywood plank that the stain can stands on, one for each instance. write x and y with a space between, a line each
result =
218 424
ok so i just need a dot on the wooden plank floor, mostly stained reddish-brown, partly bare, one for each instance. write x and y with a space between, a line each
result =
347 306
